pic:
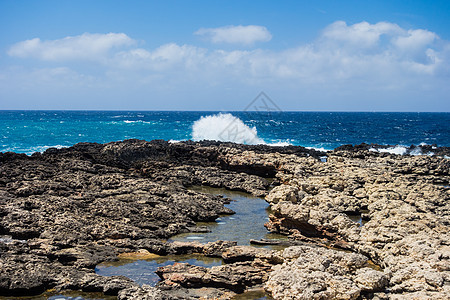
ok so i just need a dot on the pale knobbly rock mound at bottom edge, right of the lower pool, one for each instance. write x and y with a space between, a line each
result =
315 273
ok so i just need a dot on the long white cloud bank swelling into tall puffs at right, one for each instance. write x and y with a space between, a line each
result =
377 53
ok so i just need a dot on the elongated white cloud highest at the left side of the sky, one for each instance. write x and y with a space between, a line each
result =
86 46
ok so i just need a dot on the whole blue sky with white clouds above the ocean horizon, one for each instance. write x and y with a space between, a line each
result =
219 55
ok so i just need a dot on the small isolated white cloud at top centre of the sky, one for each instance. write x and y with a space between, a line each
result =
245 35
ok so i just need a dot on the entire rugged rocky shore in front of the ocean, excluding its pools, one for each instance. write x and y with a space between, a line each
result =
65 211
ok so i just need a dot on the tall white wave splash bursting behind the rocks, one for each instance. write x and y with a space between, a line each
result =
225 128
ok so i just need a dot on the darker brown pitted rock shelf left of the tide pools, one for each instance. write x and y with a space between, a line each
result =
65 211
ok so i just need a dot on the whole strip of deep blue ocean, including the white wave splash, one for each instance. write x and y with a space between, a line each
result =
31 131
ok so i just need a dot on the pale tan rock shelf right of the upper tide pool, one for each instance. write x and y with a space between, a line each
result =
404 198
